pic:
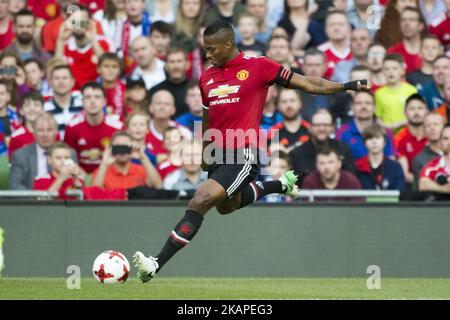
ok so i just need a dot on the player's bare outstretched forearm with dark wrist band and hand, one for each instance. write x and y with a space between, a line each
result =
316 85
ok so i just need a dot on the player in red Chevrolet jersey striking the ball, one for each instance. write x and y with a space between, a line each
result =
233 90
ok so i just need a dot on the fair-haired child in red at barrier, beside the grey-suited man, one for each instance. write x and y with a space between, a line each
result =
65 173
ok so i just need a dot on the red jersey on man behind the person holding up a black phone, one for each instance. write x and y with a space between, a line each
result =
88 141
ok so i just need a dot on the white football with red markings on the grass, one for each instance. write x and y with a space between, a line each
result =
111 267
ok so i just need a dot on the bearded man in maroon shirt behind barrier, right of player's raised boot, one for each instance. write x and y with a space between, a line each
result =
329 175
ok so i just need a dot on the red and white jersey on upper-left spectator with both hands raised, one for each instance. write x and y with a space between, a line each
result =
83 62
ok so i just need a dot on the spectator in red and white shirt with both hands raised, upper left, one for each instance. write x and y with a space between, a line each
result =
81 48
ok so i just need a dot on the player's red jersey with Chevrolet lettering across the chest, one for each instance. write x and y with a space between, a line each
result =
235 95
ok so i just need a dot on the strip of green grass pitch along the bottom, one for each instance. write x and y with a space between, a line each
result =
226 288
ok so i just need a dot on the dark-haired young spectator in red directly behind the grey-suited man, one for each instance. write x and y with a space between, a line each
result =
32 108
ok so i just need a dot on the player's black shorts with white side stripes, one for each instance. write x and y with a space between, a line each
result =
234 175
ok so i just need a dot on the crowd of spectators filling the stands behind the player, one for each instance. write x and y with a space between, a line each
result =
103 95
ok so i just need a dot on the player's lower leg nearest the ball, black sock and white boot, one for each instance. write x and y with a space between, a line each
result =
208 195
